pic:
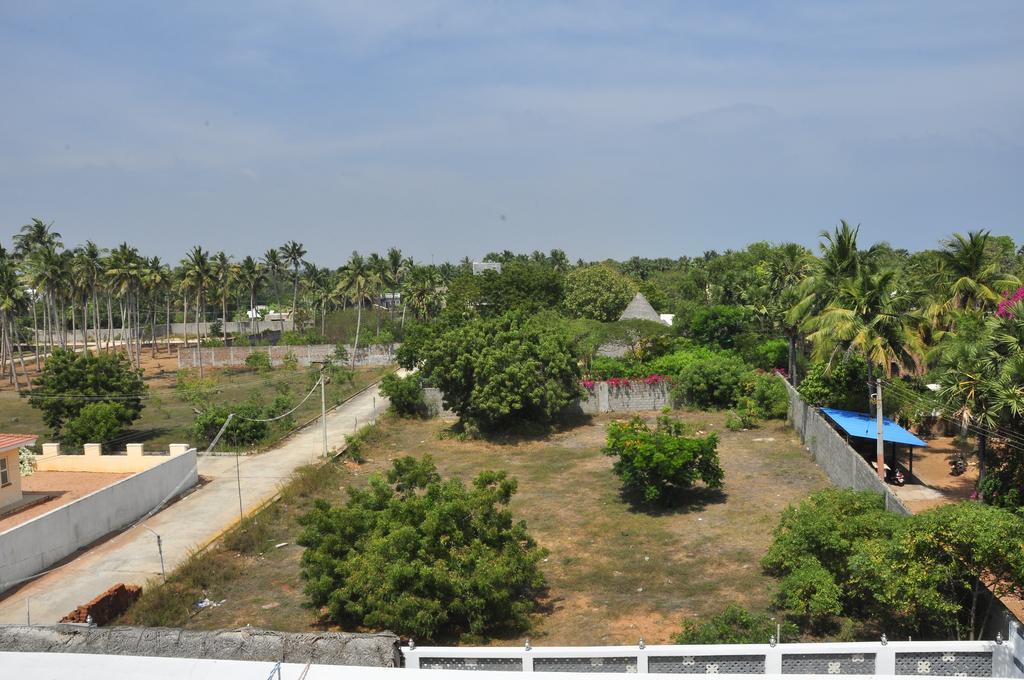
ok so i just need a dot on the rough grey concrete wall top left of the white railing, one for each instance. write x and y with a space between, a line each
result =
376 650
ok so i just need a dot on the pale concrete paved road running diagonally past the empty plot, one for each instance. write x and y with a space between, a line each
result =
133 558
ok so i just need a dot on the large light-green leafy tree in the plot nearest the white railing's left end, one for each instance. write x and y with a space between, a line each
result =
422 557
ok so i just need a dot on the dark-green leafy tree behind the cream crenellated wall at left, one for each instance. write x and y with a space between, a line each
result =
70 381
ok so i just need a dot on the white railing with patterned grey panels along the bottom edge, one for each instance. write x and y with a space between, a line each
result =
1001 659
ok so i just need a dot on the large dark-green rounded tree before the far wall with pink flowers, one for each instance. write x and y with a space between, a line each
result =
495 371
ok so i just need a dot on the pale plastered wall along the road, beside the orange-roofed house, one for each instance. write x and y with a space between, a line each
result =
38 544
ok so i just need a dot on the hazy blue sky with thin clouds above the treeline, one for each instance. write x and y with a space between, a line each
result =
458 127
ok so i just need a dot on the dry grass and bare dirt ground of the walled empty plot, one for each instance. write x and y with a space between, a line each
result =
616 572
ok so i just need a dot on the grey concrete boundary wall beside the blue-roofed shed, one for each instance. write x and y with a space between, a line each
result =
844 466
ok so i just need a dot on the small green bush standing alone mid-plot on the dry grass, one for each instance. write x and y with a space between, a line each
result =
659 464
